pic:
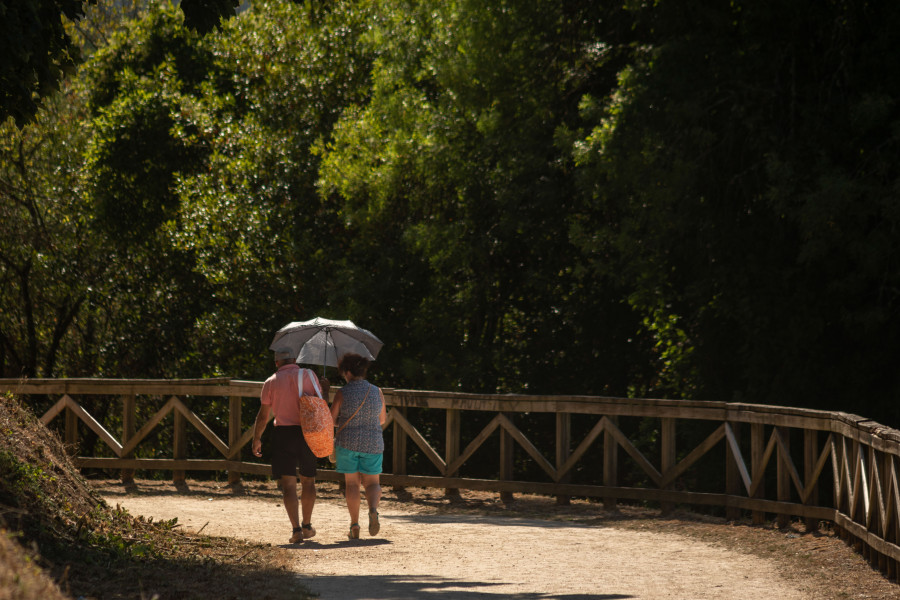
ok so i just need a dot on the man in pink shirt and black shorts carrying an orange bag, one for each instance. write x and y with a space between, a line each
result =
280 395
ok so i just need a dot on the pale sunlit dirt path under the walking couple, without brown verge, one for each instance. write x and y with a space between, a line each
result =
425 551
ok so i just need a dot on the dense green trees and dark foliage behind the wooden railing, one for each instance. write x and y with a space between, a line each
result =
682 199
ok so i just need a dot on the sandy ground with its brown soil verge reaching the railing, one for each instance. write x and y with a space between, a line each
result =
474 546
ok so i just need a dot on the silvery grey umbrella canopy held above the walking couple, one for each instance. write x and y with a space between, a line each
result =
323 341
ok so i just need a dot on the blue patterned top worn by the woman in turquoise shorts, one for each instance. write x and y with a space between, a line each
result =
363 433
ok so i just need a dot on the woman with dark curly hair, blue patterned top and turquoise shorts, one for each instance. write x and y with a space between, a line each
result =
359 412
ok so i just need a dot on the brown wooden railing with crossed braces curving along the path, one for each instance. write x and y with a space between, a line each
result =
757 459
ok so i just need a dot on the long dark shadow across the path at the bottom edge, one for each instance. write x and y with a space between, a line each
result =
398 587
